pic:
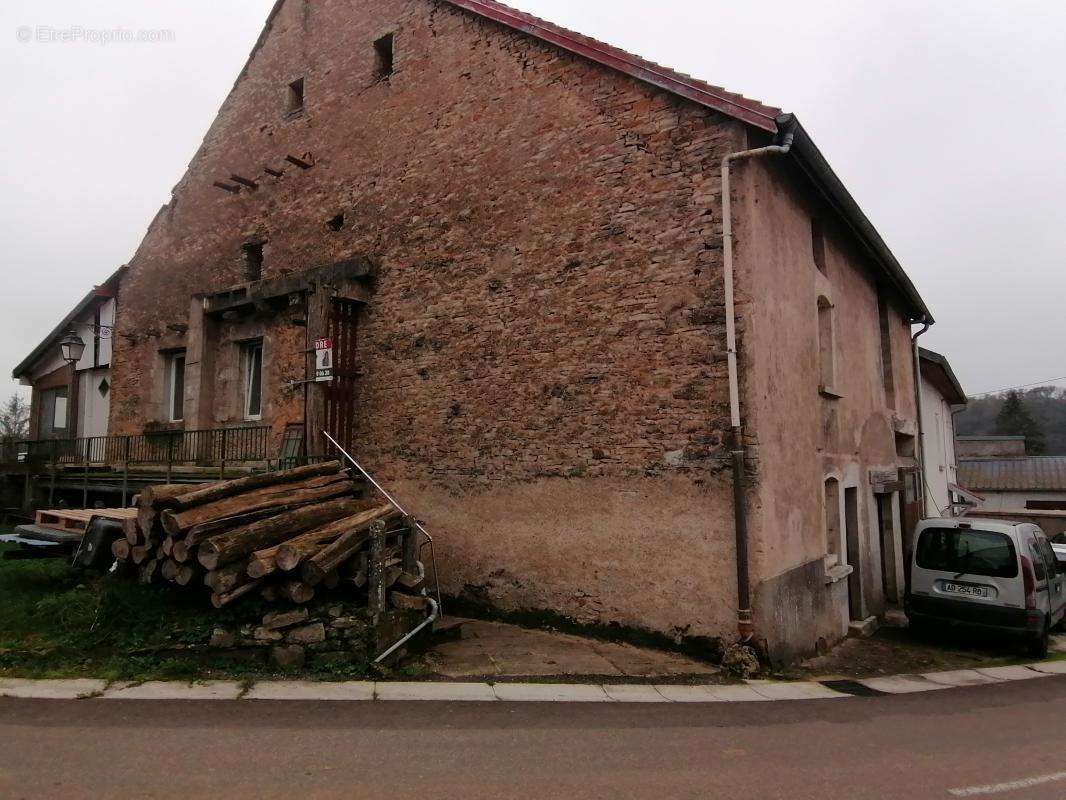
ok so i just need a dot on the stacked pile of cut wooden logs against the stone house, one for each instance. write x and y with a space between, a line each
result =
283 535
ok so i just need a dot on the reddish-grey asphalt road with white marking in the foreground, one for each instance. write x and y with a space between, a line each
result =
1004 742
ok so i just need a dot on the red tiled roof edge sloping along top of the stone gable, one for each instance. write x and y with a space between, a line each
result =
685 86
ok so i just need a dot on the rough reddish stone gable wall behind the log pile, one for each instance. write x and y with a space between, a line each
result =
538 355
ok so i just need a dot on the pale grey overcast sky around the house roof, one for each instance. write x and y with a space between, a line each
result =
946 120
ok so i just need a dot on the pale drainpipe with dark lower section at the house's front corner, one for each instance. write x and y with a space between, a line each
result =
746 623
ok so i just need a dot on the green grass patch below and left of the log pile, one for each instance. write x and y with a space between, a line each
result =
57 621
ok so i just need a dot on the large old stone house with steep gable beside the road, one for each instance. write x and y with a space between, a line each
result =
610 395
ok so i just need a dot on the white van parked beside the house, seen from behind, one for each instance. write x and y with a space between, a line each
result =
987 574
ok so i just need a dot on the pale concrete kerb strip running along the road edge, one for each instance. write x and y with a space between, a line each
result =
525 693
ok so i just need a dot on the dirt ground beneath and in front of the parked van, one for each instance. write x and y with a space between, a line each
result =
893 651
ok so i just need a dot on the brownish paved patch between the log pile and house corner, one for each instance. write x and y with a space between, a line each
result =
494 650
